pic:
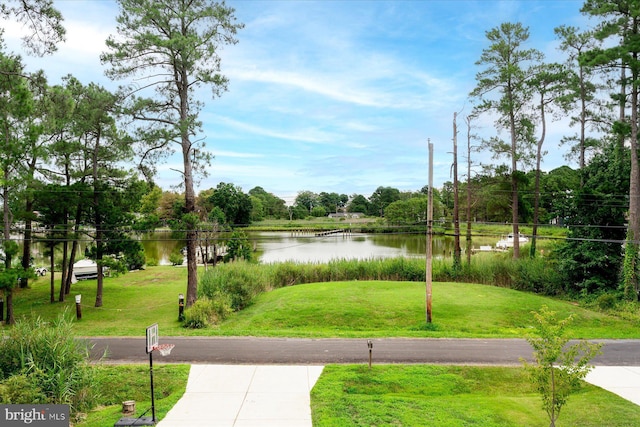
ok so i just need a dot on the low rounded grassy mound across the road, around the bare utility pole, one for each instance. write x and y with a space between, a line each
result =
397 309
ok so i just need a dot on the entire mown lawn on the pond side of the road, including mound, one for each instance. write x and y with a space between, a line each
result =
336 309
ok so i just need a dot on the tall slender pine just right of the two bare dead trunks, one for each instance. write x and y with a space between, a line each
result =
507 66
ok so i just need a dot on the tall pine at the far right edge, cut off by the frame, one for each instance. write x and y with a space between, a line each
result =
620 26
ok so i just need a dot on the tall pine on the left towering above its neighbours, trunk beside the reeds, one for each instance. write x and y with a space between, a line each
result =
174 45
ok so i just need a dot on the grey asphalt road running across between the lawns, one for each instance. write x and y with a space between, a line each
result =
297 351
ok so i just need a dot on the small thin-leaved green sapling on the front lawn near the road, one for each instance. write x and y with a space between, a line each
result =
558 370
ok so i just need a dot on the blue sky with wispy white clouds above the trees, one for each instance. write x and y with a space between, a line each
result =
337 95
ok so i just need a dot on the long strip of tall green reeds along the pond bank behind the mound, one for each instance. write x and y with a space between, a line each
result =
241 281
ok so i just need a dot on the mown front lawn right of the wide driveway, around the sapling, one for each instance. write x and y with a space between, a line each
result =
452 396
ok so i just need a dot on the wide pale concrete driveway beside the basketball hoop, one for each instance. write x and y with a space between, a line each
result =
245 396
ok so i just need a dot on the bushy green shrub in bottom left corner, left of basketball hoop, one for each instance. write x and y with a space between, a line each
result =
52 361
